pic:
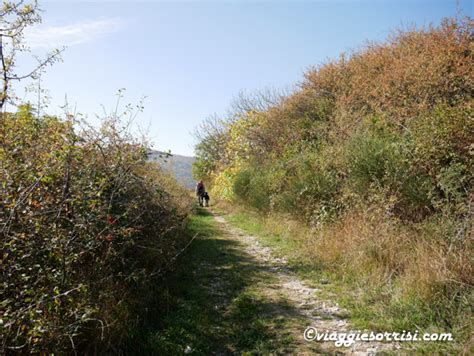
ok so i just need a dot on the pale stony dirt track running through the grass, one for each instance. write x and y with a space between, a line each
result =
290 298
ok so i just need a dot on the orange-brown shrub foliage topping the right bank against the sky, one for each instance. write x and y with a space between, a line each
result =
413 71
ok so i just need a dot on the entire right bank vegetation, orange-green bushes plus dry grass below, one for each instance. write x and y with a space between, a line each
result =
374 153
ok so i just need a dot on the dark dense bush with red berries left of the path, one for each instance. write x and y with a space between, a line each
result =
85 225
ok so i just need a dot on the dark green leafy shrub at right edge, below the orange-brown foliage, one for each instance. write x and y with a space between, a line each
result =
442 148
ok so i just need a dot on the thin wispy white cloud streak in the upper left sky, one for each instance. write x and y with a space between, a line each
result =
70 35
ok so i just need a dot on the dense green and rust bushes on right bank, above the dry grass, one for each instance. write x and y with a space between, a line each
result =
392 120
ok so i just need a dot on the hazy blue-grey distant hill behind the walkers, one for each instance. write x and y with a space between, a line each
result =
179 166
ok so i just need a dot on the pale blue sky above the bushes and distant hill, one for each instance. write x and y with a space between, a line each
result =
191 58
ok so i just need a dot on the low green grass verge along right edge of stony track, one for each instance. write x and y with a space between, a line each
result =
369 308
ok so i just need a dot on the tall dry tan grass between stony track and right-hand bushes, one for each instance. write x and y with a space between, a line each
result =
397 276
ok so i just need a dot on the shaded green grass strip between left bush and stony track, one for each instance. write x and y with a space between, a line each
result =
211 302
